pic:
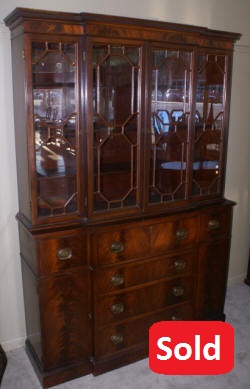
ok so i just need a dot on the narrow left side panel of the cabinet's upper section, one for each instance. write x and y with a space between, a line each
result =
19 98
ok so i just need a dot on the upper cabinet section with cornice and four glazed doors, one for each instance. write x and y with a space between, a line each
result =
121 116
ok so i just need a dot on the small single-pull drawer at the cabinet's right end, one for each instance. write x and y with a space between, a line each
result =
216 222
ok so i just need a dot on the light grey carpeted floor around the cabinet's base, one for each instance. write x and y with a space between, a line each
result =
19 373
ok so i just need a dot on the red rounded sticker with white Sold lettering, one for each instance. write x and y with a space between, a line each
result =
191 347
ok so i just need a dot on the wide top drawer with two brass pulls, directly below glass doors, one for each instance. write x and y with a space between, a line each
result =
143 240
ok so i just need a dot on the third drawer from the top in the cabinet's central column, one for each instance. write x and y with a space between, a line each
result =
123 305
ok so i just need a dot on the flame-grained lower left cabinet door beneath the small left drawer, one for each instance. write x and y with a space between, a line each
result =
64 319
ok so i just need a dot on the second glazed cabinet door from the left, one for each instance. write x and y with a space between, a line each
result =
115 128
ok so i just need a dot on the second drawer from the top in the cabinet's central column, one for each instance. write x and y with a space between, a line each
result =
121 277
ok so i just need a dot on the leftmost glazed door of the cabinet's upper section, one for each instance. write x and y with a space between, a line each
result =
54 126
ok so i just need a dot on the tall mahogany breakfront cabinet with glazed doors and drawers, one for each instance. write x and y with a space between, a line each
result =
121 136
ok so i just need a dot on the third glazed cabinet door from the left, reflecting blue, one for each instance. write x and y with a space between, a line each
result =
170 121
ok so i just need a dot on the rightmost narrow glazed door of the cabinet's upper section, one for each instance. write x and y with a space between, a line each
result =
209 124
